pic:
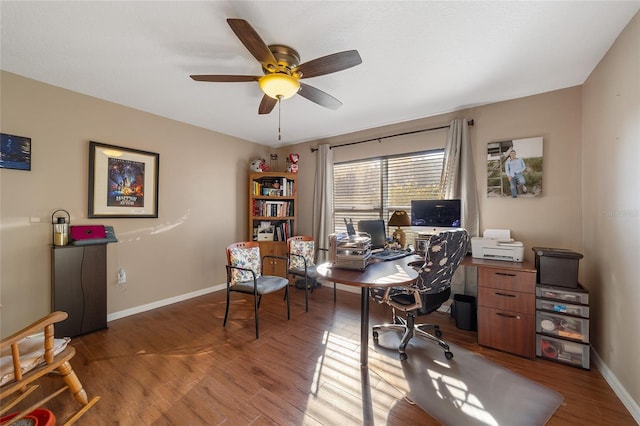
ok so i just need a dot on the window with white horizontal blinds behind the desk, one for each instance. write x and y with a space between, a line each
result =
374 188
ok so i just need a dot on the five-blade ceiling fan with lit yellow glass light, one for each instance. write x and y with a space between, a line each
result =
282 70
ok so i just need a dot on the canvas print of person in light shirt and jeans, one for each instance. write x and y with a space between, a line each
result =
514 168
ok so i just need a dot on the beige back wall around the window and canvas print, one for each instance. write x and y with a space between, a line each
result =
552 220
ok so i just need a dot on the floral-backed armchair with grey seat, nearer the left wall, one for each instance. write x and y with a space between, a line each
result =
244 274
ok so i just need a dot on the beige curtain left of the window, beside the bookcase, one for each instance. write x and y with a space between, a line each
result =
323 196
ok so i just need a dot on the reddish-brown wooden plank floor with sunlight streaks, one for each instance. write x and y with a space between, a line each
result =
178 365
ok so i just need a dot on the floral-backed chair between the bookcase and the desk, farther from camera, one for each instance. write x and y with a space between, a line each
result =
303 258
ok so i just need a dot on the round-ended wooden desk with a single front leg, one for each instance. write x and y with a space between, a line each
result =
378 274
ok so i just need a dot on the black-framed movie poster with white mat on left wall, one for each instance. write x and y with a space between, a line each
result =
123 182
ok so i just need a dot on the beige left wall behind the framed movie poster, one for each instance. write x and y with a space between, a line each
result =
202 200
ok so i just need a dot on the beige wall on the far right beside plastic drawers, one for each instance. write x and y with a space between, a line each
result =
611 206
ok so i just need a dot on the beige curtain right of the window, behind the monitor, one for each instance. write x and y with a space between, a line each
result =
458 175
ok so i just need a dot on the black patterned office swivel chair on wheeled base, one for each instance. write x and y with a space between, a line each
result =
427 293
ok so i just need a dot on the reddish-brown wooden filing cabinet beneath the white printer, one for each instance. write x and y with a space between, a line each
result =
507 307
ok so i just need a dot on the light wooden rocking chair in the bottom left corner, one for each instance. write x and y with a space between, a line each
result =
23 383
